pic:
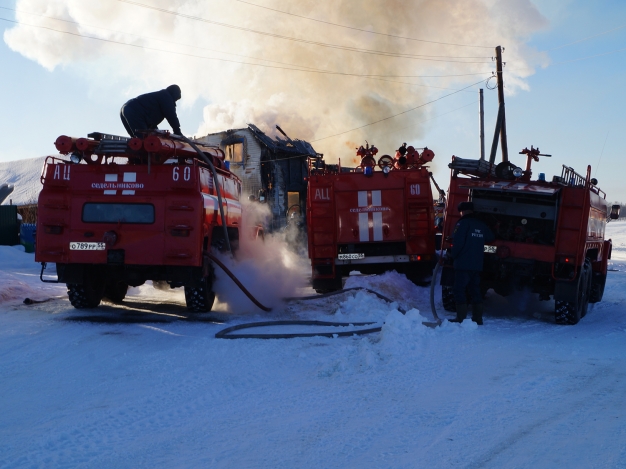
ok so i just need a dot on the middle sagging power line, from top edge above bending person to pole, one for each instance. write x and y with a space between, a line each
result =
299 40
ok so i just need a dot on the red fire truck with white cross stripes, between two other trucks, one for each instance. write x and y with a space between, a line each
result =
373 218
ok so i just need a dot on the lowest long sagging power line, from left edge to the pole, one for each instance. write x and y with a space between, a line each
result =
184 54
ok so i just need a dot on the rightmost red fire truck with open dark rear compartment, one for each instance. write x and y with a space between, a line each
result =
549 233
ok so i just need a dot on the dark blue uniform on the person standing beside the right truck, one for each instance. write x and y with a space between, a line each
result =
468 245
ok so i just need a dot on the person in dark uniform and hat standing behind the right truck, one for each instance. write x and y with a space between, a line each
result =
469 238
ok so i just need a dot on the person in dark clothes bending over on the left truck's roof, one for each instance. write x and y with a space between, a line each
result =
148 110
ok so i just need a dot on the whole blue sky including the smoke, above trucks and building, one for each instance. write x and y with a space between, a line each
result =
565 68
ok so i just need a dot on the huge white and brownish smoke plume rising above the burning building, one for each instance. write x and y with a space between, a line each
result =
309 106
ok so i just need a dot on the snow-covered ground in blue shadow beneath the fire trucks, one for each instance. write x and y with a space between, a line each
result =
145 385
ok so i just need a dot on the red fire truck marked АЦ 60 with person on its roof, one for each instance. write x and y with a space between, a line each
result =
123 211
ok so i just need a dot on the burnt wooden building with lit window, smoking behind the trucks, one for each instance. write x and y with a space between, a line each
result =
272 170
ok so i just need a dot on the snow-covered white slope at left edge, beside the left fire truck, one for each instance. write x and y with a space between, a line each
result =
24 176
